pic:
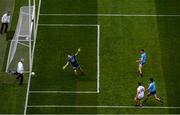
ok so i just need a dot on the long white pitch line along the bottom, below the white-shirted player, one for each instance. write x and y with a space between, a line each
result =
118 107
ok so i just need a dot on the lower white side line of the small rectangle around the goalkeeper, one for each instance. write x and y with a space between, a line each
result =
68 92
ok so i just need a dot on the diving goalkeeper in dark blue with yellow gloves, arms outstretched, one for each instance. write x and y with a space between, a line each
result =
74 63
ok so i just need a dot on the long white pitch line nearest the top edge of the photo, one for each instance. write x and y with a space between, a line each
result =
116 15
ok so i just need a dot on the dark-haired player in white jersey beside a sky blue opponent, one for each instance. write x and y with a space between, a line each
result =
140 94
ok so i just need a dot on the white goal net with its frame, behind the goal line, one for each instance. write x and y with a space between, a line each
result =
20 46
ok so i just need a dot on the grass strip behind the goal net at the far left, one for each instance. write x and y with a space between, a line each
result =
12 96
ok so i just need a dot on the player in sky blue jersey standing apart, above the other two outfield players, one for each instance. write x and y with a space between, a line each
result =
141 61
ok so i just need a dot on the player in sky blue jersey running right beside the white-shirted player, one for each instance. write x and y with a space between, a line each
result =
152 91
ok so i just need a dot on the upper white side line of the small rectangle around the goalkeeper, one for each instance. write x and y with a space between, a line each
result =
69 25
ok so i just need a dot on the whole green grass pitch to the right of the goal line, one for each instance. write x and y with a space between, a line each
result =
120 39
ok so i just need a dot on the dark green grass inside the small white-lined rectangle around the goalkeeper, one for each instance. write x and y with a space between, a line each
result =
68 39
